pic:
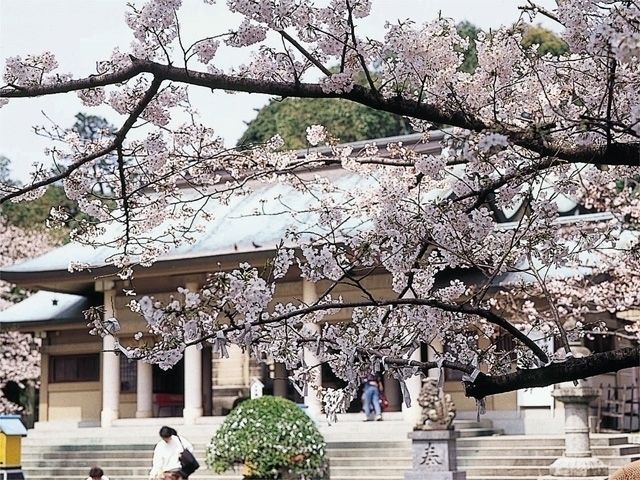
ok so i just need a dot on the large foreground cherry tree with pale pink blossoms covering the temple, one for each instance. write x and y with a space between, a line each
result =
524 132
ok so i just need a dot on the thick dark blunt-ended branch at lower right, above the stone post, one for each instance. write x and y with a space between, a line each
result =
571 369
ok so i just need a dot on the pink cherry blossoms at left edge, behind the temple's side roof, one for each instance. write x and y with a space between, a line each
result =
20 357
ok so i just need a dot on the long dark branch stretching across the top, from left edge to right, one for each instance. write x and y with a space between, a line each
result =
613 154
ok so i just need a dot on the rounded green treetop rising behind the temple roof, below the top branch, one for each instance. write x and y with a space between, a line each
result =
347 121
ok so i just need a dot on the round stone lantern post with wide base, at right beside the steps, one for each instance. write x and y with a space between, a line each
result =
577 462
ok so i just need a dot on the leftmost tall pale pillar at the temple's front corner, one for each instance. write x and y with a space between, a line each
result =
110 369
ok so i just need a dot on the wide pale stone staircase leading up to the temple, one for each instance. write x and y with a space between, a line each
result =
357 450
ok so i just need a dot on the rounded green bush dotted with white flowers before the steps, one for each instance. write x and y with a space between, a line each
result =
272 439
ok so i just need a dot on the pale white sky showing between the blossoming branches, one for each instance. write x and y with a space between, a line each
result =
80 32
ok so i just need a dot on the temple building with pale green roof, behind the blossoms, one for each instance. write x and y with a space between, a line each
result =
84 381
